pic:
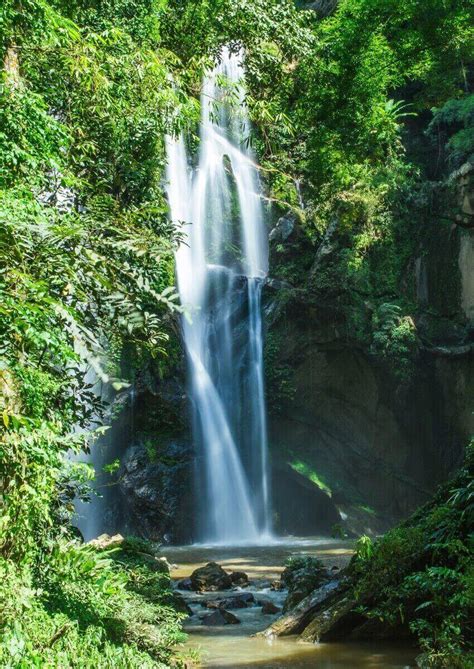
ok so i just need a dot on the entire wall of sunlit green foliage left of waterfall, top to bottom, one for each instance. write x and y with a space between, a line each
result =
86 272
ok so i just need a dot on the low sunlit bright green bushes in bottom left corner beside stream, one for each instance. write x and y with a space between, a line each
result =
86 607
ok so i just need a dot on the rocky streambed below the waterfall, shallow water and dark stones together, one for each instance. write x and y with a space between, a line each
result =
243 607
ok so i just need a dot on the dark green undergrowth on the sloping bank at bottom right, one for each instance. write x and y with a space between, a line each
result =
420 575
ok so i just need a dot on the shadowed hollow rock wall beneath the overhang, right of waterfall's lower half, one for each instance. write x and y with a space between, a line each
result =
367 446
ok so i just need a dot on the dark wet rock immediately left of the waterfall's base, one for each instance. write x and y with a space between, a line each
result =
155 491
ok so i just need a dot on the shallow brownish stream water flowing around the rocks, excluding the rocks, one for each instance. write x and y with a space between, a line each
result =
235 647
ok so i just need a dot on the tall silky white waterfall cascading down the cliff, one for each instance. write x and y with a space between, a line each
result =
220 270
